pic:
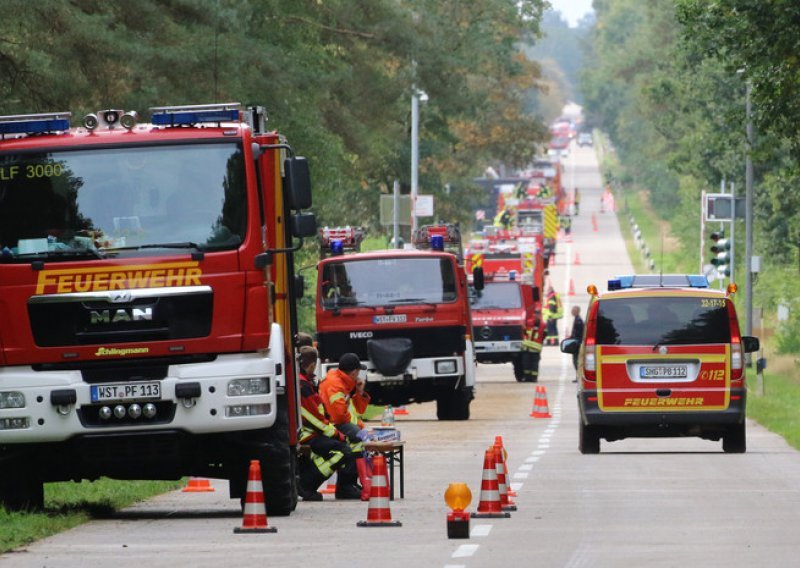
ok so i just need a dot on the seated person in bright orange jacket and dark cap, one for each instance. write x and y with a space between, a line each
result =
345 398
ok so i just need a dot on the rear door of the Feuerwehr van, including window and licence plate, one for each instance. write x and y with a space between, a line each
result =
663 352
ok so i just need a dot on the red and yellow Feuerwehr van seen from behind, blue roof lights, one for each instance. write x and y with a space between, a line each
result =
662 356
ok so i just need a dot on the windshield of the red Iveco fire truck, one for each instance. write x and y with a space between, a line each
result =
388 282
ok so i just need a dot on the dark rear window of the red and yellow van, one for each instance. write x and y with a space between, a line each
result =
663 321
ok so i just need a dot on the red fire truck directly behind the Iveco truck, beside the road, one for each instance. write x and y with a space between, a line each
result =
507 313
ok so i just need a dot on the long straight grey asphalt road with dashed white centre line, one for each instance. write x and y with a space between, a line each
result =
671 502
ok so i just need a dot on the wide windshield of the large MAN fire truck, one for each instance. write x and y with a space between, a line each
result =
102 201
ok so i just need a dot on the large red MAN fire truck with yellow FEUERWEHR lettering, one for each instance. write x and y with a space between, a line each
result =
146 299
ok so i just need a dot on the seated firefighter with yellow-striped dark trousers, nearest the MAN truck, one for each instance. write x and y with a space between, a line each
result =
329 448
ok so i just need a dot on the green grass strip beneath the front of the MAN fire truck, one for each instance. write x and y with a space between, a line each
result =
68 505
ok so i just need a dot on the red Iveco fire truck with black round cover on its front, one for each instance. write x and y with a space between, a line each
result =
405 313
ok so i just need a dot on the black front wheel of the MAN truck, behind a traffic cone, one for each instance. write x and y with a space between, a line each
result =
278 467
